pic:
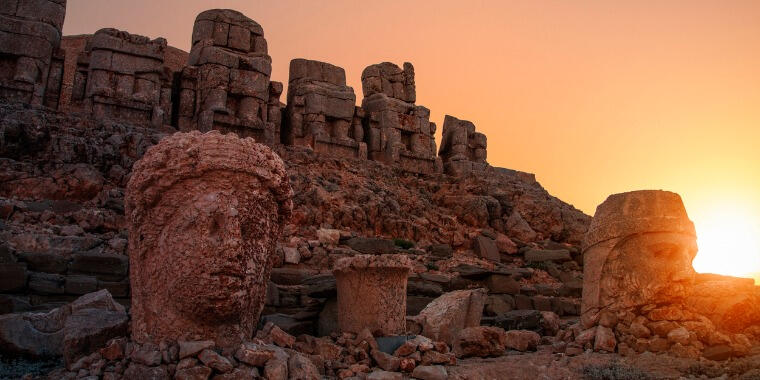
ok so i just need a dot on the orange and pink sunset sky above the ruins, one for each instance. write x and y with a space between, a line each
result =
594 97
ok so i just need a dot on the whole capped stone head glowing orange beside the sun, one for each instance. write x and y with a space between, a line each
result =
637 251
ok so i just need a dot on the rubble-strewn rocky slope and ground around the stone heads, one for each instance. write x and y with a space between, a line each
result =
63 235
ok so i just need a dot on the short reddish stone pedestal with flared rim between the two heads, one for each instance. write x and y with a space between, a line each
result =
372 293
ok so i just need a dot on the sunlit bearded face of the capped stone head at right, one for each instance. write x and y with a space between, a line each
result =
648 268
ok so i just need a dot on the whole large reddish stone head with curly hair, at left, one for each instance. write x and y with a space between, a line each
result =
204 212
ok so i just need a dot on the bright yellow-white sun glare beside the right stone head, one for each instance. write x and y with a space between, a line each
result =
729 241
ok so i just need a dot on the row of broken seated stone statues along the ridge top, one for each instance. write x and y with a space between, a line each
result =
224 85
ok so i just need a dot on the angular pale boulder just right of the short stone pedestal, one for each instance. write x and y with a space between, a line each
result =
448 314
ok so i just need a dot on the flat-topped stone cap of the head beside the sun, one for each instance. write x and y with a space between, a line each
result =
638 212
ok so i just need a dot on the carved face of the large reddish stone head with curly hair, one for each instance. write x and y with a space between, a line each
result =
213 250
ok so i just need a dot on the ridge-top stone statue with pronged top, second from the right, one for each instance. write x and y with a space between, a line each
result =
398 132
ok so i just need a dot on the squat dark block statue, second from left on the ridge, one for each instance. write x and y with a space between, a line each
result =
122 76
